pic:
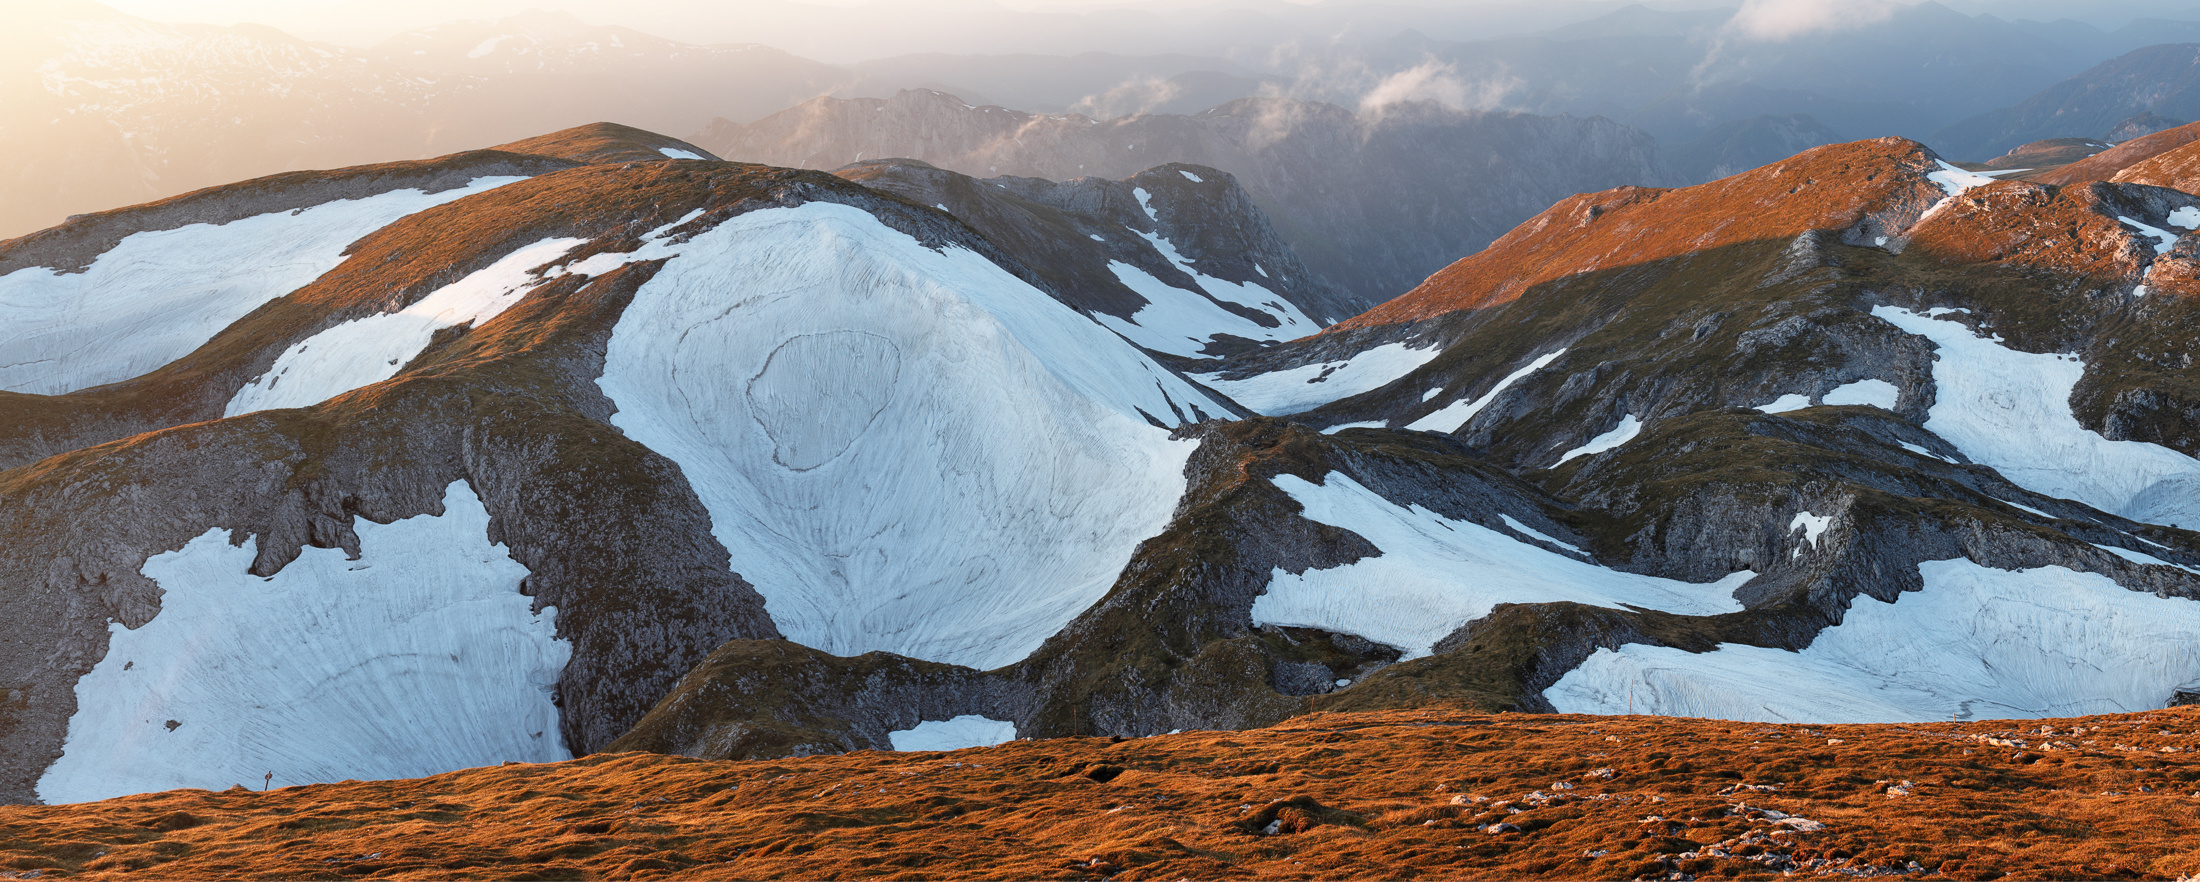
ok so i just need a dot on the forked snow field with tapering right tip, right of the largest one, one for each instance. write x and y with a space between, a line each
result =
1435 575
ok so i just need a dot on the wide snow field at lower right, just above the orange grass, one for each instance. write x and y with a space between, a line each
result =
1977 643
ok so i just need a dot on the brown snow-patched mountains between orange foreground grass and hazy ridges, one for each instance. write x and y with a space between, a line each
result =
591 445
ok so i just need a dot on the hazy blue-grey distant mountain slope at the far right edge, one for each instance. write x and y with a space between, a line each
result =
2155 80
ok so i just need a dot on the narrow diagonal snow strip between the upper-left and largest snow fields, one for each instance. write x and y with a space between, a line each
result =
368 351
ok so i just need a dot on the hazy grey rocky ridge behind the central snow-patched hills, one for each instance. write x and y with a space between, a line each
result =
1372 201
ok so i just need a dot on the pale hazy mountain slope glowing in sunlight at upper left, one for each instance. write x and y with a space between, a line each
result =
111 109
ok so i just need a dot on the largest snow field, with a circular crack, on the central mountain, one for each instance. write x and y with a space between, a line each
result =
903 450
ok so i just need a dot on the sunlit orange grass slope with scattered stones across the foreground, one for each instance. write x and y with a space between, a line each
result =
1369 795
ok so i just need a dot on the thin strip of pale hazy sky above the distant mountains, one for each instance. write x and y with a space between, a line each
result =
859 30
